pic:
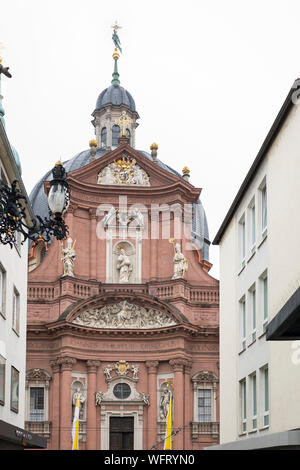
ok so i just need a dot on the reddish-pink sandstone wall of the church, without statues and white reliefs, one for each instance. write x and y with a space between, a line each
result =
65 350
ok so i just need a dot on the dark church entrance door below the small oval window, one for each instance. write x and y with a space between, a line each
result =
121 433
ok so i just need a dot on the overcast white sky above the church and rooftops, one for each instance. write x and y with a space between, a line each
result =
208 79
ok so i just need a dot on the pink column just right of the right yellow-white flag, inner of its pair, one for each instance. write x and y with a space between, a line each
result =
178 393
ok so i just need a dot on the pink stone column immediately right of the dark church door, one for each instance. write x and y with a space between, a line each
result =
152 409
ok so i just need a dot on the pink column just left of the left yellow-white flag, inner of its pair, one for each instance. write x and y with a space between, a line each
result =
65 402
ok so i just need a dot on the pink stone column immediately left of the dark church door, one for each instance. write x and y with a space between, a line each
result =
91 425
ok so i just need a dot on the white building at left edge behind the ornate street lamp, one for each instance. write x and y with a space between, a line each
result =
13 308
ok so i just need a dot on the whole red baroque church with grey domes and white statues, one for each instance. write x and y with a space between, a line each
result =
123 314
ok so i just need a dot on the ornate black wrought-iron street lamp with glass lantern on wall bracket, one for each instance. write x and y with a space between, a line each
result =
13 215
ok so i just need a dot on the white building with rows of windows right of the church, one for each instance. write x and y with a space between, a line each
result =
259 273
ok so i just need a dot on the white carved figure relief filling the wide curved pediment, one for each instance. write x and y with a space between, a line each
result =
124 315
